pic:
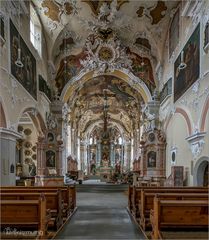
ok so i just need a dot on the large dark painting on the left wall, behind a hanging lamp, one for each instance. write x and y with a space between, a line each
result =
25 75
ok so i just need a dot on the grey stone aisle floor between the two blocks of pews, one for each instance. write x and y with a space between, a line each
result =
101 216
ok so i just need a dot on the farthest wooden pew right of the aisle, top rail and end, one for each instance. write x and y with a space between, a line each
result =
136 196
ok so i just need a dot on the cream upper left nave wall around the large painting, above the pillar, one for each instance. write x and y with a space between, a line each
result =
14 96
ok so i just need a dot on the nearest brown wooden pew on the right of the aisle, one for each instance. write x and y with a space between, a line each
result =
176 214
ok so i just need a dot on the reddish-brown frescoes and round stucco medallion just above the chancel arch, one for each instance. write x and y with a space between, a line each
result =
71 65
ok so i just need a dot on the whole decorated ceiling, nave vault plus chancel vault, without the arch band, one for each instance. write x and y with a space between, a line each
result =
99 37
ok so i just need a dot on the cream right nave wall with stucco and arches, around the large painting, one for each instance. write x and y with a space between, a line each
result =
192 102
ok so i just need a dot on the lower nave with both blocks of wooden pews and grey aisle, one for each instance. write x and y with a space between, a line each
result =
104 211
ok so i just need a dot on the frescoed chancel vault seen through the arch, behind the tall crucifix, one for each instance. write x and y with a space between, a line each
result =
87 103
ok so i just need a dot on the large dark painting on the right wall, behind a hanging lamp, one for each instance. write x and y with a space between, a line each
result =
184 78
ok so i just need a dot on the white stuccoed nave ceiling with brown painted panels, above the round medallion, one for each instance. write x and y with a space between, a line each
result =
138 24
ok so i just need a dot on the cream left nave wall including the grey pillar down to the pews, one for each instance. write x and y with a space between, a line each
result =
14 97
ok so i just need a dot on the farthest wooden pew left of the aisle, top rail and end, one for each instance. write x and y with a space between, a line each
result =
68 194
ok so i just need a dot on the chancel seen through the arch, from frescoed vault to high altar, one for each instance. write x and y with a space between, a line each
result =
105 109
